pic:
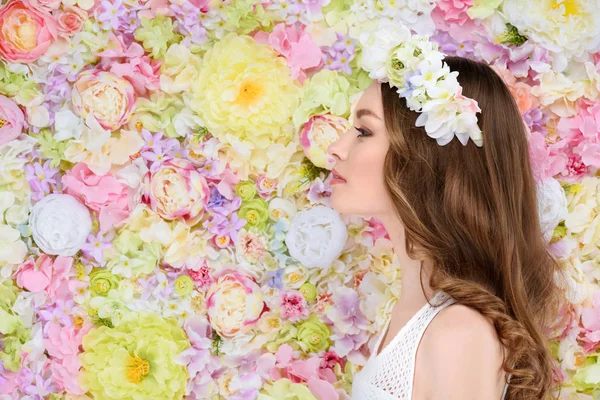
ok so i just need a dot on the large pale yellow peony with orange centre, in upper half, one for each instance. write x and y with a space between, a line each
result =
245 95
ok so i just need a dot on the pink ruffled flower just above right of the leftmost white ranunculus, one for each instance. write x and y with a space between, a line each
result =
101 193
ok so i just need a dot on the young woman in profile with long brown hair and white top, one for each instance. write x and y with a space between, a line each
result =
459 205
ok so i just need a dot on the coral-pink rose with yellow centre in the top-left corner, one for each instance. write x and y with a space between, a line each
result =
25 32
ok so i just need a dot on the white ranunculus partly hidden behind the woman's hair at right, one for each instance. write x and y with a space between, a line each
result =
552 206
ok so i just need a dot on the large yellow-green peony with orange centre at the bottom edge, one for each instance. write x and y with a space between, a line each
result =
135 360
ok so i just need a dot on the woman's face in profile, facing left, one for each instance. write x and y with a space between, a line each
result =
360 153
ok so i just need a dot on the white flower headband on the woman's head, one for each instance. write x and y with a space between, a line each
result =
413 64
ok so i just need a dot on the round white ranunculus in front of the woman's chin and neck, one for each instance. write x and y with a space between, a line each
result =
316 237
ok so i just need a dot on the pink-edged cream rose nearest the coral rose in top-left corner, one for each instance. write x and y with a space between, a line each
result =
104 95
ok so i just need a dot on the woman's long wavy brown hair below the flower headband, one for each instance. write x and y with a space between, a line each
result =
472 211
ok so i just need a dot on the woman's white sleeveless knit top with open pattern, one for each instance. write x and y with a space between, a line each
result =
389 375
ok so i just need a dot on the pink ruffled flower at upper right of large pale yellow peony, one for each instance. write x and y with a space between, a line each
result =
295 45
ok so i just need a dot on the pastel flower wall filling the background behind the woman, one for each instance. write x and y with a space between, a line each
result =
164 229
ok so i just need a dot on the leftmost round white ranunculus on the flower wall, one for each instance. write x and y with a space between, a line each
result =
60 224
